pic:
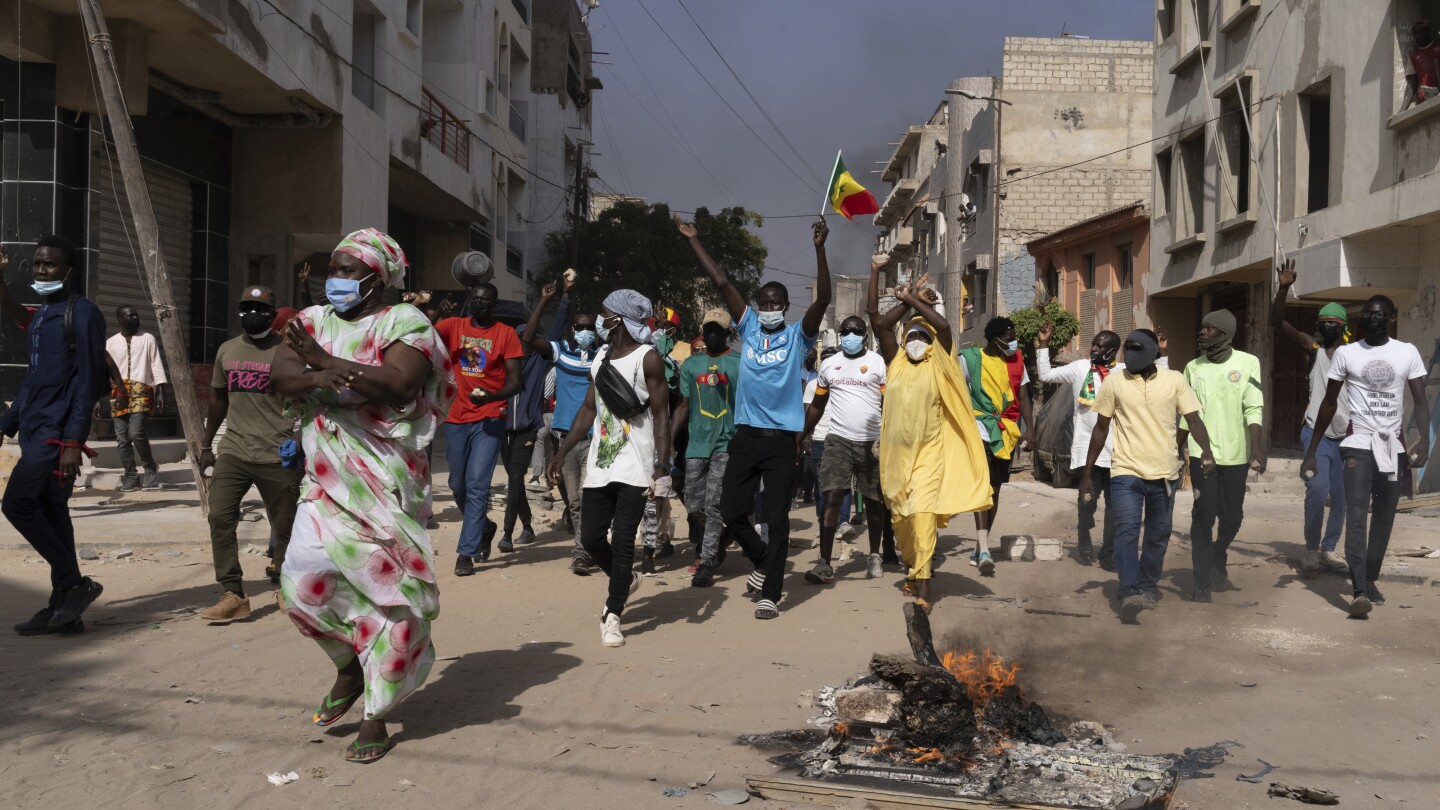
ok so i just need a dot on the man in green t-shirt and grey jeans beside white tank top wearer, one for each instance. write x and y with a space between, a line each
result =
708 387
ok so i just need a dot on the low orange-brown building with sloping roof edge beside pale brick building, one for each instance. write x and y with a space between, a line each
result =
1097 269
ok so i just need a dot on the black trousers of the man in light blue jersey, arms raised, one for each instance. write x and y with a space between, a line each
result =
761 456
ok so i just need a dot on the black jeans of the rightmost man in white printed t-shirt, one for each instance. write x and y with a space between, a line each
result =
1370 492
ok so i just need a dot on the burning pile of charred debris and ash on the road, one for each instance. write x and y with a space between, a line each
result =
960 726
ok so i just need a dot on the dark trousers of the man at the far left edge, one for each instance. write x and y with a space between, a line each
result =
38 505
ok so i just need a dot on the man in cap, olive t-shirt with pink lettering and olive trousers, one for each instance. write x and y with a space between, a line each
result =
256 426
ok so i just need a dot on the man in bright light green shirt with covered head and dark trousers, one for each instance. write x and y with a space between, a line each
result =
1232 404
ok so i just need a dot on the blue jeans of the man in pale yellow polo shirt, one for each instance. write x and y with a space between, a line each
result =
1140 564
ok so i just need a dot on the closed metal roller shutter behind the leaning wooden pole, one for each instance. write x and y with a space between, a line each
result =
122 279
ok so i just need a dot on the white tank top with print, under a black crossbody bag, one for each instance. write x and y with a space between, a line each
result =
621 450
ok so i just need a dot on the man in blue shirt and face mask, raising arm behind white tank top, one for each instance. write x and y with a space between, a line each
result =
572 357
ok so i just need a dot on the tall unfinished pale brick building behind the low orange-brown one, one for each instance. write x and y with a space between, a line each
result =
1038 151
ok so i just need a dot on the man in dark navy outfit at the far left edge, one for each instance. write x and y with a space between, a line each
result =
53 414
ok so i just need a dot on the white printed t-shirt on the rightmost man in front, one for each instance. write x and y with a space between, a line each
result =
1376 381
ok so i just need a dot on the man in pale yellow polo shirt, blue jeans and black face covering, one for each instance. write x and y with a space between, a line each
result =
1144 403
